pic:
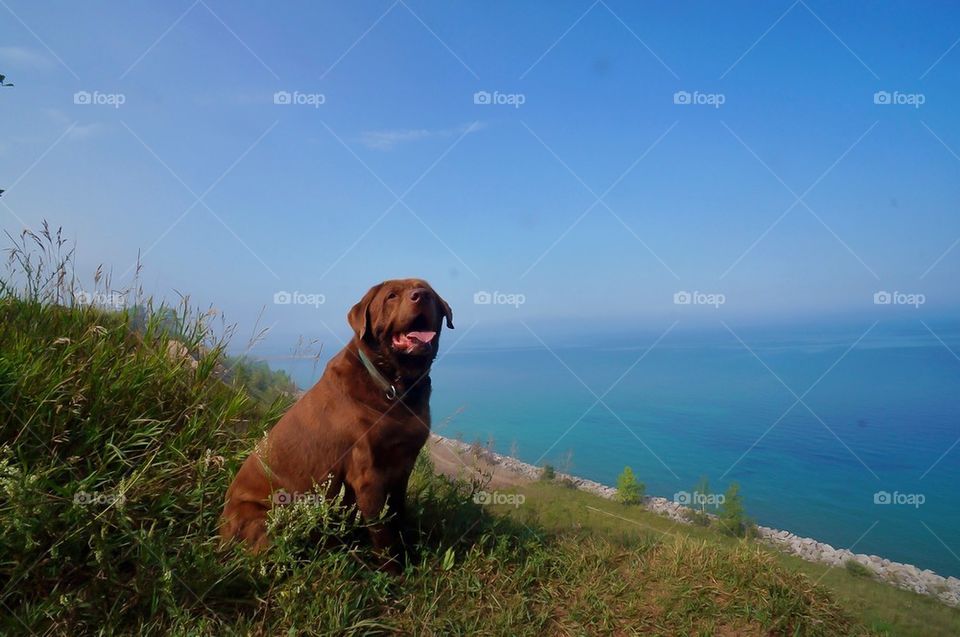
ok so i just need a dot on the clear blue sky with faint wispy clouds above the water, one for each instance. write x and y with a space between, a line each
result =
597 198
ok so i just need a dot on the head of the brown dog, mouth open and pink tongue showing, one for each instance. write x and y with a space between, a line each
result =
400 320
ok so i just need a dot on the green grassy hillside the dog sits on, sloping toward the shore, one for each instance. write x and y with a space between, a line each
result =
115 456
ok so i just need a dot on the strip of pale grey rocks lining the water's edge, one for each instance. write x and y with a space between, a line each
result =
905 576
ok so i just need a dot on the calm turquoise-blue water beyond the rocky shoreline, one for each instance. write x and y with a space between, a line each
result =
880 420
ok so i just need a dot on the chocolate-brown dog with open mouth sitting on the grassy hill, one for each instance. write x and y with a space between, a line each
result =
361 426
